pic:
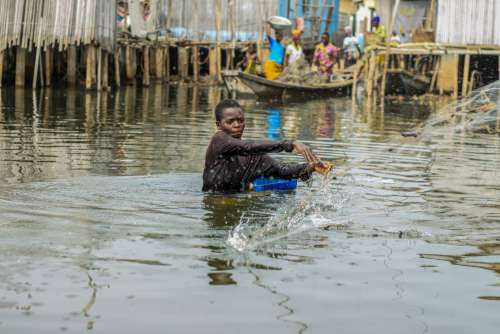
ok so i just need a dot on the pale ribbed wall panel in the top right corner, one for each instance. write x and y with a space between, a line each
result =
468 22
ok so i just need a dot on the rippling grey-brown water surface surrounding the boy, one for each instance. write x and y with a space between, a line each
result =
103 226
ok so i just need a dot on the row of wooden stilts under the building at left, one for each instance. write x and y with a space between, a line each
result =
129 64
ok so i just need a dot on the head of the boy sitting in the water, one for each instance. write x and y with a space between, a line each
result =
230 118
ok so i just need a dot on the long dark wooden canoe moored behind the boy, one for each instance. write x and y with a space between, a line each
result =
264 88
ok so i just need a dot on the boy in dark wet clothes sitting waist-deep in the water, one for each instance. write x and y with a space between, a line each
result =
232 164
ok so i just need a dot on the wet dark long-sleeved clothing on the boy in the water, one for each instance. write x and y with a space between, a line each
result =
231 163
